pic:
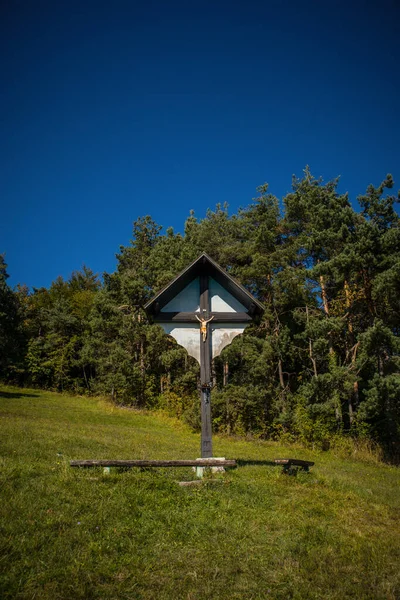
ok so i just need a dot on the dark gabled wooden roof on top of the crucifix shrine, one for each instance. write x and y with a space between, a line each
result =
204 265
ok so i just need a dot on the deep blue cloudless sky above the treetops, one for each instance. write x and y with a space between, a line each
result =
119 109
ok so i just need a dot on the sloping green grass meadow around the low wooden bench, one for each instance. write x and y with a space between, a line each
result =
74 533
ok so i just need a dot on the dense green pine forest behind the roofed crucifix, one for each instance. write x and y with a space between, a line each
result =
322 364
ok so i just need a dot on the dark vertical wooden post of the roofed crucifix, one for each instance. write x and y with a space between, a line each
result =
205 372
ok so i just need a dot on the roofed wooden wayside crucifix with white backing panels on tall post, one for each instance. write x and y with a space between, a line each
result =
204 308
